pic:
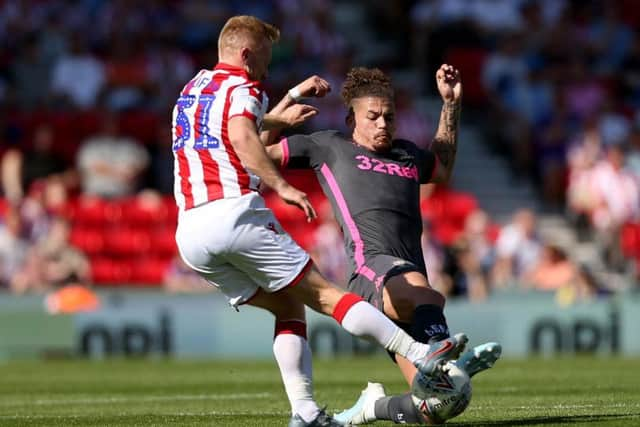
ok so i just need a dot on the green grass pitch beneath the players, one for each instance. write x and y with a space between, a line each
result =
536 392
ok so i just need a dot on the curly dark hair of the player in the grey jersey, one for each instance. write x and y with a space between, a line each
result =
362 82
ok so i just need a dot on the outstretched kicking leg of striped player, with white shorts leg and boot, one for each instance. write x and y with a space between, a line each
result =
268 255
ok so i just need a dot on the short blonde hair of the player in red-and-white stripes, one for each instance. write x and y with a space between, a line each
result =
242 28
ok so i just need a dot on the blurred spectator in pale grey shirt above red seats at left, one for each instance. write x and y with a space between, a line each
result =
110 164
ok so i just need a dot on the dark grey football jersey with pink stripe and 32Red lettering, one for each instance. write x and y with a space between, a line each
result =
375 197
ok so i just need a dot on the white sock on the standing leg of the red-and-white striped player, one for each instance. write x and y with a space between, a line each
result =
293 356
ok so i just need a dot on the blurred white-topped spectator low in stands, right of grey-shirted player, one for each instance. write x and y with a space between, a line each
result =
517 249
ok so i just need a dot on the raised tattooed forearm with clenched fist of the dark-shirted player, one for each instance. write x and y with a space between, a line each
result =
445 142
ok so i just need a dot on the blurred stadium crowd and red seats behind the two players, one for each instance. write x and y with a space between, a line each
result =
87 86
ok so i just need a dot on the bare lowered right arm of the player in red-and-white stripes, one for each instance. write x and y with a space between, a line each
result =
246 142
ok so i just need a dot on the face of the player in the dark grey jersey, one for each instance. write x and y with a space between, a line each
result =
374 122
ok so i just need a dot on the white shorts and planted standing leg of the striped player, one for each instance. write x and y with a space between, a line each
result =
211 252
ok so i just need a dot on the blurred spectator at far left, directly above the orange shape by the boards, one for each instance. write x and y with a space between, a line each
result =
52 262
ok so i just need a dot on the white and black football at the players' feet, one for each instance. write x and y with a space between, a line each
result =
444 397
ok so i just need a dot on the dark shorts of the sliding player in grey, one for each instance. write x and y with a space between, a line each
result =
384 267
